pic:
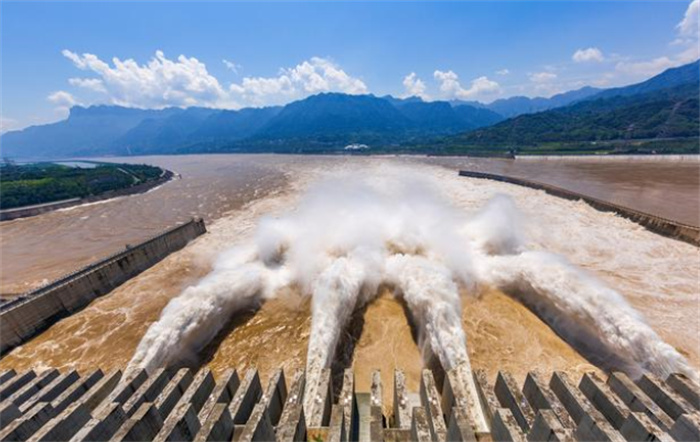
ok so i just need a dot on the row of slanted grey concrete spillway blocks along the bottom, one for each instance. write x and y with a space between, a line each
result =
182 405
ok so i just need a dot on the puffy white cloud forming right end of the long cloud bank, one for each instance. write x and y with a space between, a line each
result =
307 78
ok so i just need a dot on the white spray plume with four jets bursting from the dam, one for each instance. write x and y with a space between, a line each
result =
348 236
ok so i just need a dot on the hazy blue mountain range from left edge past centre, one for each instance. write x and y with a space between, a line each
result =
320 122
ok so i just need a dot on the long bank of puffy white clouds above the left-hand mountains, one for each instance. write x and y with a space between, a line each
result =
185 81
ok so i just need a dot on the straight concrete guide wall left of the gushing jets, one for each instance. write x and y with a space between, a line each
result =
23 317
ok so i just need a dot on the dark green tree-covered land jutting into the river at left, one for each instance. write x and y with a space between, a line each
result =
28 184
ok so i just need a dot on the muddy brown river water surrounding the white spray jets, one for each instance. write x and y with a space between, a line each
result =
233 191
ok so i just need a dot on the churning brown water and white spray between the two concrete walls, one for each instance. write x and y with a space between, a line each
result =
482 273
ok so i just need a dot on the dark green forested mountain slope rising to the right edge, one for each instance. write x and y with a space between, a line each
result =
660 108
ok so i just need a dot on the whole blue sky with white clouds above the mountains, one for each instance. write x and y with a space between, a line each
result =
54 55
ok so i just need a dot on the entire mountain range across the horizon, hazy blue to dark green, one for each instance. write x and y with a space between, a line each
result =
661 108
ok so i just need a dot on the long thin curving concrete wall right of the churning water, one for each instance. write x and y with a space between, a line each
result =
662 226
